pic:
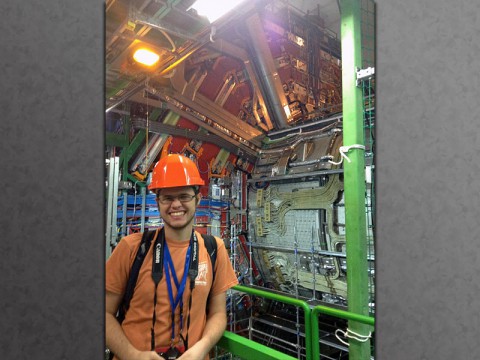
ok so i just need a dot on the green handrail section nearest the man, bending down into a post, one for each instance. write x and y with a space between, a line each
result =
290 301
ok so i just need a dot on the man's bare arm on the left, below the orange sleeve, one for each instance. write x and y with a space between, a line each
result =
116 340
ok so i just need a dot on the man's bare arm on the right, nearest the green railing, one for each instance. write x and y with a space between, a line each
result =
214 328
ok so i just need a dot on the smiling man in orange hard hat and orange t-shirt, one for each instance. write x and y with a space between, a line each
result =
166 319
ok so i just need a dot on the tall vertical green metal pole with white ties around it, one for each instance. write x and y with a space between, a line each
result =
354 176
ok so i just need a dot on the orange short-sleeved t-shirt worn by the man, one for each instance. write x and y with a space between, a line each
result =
138 320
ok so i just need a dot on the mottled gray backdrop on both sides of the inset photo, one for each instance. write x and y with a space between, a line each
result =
52 180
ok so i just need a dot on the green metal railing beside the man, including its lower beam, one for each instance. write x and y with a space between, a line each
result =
251 350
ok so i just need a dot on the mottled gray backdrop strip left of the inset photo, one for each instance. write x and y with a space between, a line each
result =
51 221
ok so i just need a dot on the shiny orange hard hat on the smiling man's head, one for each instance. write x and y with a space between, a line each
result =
175 170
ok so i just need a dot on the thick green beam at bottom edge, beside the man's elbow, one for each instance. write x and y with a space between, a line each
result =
249 349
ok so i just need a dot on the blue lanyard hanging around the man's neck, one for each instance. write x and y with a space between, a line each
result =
170 270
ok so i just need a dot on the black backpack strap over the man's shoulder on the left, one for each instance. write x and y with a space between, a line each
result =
147 238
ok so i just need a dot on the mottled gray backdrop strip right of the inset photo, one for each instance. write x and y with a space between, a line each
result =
428 141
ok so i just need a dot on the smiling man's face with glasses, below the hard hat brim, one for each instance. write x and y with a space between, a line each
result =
177 206
